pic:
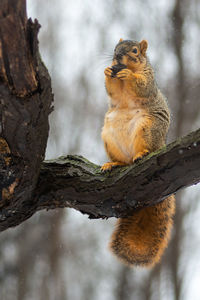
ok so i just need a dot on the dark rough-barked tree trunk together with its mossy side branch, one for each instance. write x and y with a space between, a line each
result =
28 184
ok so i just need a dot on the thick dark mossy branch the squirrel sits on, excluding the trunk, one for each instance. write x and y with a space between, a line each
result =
75 182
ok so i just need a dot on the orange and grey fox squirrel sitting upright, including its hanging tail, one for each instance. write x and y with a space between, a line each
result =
136 124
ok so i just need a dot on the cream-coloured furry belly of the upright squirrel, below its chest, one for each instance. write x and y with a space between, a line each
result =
119 131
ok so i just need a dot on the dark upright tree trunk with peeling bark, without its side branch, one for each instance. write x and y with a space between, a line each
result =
25 103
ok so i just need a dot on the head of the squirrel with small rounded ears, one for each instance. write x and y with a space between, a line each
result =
130 53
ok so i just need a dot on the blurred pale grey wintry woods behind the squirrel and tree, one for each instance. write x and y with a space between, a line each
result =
60 254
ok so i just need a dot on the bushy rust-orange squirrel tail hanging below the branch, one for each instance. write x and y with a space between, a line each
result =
141 239
